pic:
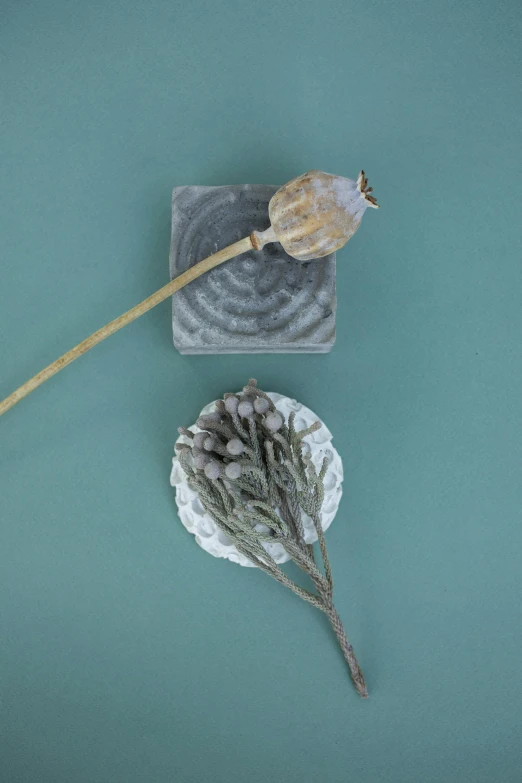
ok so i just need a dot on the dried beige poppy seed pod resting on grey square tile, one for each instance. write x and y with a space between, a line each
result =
317 213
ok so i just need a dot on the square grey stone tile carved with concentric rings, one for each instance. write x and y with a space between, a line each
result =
259 302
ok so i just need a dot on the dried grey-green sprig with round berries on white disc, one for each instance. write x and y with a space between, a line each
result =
249 471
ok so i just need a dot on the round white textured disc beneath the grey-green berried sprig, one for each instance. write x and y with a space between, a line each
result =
318 445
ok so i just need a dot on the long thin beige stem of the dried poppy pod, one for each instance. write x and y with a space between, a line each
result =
254 242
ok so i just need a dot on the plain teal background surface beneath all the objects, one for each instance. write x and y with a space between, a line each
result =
127 653
